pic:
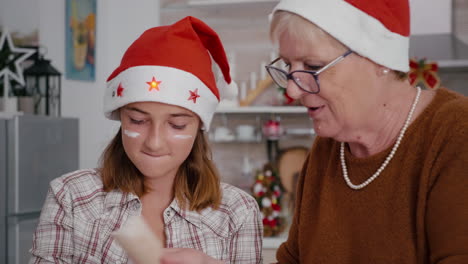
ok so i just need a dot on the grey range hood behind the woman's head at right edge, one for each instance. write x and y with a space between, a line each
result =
446 49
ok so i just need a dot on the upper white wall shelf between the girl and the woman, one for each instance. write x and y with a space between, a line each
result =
263 109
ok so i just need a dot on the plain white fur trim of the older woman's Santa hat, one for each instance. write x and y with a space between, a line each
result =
359 31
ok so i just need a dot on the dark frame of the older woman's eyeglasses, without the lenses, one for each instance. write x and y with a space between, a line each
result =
289 76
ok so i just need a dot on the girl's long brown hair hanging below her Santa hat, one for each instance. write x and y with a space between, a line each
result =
196 182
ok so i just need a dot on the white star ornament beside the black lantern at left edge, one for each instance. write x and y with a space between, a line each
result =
11 57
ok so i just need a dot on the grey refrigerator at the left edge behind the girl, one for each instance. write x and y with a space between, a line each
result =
33 151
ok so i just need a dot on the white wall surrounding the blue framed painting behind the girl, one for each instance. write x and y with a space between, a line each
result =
119 23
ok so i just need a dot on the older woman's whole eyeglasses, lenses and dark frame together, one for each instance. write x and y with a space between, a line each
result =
306 80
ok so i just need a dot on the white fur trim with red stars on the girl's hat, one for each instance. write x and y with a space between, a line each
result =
174 89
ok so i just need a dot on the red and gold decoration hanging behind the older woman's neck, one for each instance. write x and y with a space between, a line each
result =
424 73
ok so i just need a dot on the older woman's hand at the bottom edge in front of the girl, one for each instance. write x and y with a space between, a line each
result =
186 256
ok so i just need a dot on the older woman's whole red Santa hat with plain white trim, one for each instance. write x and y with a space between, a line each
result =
376 29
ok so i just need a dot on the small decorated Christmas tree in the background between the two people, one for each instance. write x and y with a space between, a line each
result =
267 191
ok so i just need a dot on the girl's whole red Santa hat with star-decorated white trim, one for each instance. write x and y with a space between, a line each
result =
172 65
